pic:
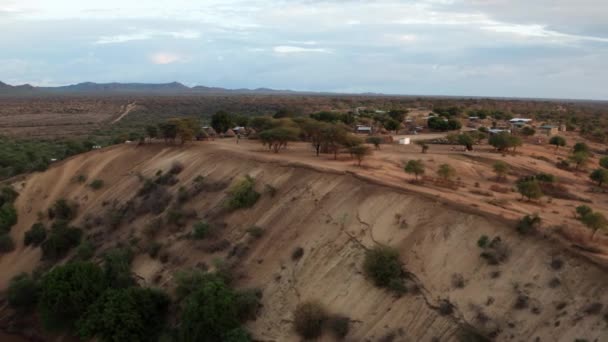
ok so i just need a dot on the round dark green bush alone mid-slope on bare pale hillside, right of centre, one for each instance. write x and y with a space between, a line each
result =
382 265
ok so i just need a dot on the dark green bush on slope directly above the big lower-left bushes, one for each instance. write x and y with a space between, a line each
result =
61 239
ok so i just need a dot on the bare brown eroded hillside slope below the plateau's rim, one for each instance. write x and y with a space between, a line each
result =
535 291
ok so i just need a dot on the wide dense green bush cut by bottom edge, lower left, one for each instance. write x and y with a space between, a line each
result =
133 314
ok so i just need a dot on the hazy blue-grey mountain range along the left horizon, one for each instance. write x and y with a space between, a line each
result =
173 88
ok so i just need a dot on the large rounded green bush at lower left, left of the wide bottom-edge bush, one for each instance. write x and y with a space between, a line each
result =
67 291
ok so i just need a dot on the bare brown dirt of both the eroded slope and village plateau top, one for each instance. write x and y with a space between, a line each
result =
335 211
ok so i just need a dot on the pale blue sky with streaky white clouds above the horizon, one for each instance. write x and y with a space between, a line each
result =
507 48
